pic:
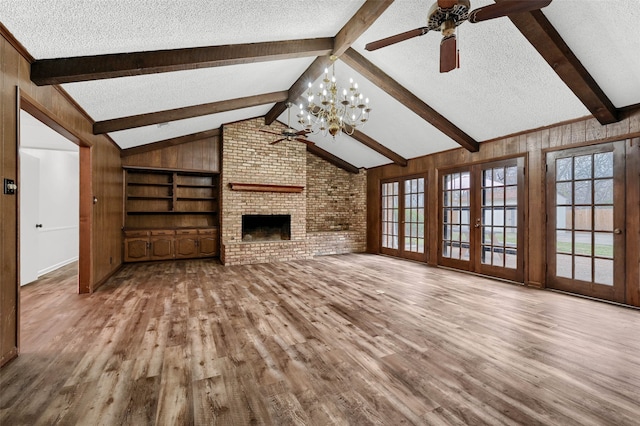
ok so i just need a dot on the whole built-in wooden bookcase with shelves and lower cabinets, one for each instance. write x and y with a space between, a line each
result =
170 213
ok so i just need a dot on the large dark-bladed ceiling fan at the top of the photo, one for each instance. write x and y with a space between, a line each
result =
446 15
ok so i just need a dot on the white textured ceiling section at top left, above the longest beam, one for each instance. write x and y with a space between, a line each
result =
61 28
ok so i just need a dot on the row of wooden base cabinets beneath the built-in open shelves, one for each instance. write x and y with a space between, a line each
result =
165 244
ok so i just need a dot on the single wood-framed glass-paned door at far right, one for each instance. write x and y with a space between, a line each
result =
585 222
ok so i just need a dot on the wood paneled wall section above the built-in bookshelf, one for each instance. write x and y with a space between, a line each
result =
202 155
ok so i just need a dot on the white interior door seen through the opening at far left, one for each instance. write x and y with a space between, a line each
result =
28 189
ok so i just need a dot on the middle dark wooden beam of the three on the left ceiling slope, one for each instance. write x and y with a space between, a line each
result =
169 115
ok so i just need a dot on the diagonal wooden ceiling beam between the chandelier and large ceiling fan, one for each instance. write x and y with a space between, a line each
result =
376 76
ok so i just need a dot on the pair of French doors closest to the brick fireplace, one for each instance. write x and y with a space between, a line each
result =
403 217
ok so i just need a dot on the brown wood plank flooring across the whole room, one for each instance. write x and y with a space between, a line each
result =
351 339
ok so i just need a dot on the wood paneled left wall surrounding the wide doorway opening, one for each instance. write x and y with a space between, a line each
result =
105 177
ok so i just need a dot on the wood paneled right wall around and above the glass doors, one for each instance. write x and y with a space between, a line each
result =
533 146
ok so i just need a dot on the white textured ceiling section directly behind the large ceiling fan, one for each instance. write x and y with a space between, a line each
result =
503 85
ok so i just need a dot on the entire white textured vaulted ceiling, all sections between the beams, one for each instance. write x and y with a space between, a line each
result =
502 87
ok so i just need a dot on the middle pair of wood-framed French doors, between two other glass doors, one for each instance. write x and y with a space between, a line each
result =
481 219
